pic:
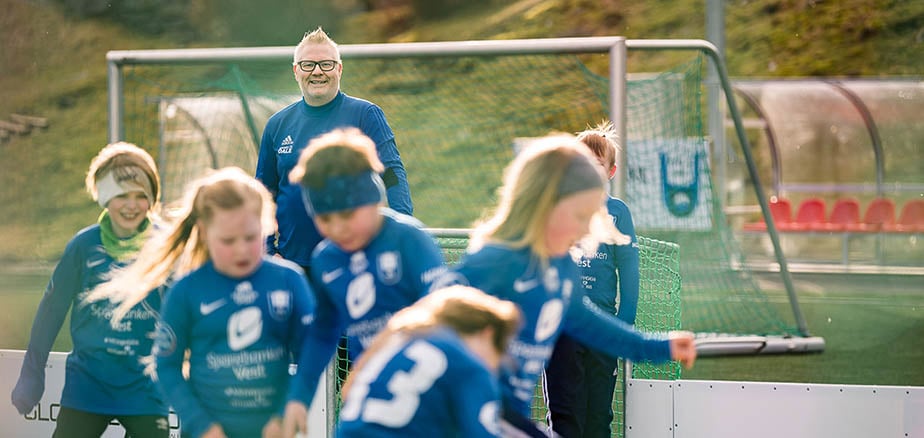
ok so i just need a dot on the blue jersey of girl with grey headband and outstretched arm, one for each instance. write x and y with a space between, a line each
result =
551 299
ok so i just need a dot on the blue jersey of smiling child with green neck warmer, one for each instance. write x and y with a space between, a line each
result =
104 373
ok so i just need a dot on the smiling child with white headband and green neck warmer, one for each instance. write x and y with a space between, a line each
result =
104 378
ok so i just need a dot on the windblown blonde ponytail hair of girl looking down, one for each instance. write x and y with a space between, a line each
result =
178 249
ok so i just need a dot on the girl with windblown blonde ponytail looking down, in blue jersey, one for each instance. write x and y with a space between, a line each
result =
238 313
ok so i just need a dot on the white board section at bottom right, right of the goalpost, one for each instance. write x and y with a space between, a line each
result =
717 409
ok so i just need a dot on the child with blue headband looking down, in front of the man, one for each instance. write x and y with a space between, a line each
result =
373 261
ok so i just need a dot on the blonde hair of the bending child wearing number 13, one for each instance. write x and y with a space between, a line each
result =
463 309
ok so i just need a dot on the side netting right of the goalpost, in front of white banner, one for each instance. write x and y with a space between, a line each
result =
670 190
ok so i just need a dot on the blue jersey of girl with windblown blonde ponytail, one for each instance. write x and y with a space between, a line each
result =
241 334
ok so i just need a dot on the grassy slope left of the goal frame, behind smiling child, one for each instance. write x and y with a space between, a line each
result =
55 70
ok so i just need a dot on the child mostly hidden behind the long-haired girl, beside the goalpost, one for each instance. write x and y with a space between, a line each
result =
579 382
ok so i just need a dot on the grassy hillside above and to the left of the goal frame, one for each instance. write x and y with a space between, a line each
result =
53 66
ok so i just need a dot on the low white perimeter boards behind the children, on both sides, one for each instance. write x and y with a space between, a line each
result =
654 408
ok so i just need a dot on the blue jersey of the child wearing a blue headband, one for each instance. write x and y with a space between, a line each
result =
357 292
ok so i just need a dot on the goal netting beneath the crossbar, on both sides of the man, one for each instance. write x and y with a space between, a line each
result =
455 120
